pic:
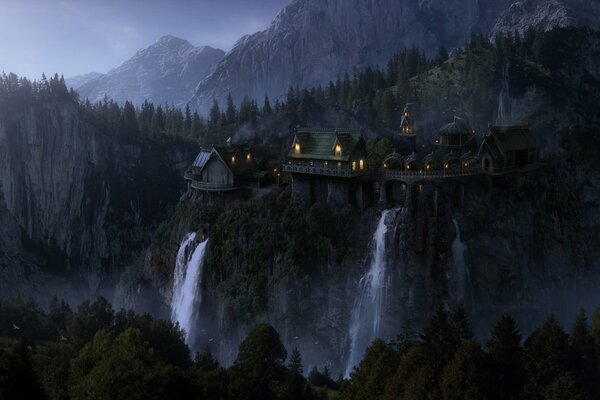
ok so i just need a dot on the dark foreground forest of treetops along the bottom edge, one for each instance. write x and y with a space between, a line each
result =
96 352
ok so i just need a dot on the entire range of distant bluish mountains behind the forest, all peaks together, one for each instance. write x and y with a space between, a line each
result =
312 42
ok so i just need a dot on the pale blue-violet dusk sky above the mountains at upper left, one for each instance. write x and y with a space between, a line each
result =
73 37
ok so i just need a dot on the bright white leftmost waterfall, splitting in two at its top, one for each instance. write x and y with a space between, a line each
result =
187 284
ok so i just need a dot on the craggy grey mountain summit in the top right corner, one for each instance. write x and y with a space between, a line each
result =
546 14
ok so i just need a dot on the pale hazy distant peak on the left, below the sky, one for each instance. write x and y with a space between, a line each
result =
166 72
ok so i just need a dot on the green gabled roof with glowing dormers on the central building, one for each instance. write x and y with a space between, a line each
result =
319 144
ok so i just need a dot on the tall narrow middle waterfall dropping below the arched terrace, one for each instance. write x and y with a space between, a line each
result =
366 317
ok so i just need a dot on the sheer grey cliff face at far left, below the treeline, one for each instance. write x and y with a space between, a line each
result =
84 200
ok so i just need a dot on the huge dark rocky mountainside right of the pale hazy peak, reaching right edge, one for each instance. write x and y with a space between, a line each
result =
314 41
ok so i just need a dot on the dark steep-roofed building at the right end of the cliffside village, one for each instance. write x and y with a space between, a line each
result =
507 148
